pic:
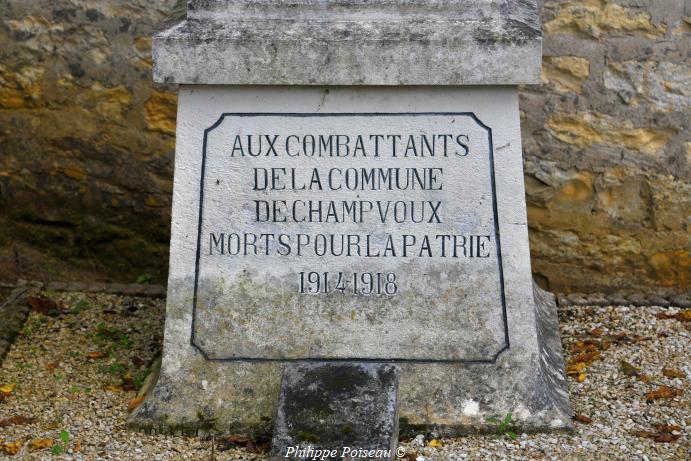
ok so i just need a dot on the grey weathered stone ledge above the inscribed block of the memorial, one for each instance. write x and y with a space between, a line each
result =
352 42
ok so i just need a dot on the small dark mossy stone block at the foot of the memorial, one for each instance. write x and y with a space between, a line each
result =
344 408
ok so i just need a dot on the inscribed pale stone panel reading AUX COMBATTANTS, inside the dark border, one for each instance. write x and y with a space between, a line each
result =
349 236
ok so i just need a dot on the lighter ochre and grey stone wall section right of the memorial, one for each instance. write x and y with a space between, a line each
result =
607 147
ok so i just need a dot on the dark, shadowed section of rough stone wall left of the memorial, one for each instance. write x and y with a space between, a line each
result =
86 143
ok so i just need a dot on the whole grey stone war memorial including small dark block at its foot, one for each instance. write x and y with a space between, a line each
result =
349 250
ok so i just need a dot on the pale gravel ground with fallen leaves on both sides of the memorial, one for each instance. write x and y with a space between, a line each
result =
76 368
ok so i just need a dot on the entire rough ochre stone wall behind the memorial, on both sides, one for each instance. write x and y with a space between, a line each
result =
86 143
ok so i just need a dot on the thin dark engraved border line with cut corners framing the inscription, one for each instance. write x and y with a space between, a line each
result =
471 115
